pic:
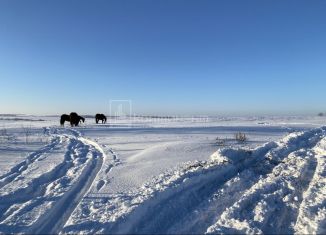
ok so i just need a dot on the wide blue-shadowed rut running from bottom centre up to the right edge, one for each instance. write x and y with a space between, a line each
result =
166 211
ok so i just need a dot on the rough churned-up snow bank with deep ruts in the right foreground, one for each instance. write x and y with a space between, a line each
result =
276 188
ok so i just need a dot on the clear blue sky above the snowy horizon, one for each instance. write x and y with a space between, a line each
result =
168 57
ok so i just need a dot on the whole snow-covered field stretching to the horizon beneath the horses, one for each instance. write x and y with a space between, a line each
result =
163 175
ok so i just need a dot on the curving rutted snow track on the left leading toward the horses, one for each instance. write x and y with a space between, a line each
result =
39 194
